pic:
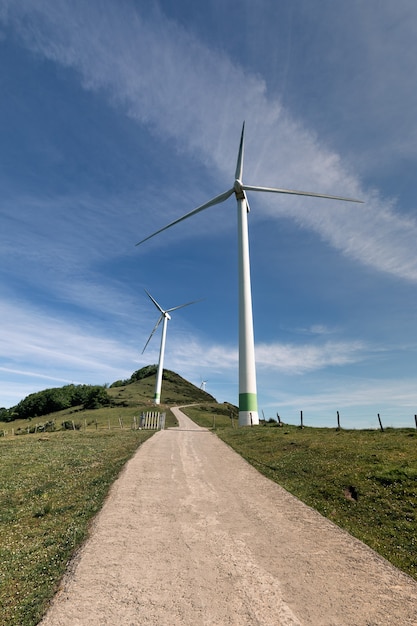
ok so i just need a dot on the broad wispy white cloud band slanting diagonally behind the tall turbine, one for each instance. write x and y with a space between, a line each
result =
149 65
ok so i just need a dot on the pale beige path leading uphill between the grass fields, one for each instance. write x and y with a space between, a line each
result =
192 535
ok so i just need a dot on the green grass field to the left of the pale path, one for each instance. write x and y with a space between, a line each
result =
51 485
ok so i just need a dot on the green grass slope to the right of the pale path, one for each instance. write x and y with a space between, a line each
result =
363 480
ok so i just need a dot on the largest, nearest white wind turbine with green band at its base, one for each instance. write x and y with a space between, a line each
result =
248 403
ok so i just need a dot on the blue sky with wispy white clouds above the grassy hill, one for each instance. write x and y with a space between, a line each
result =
118 117
